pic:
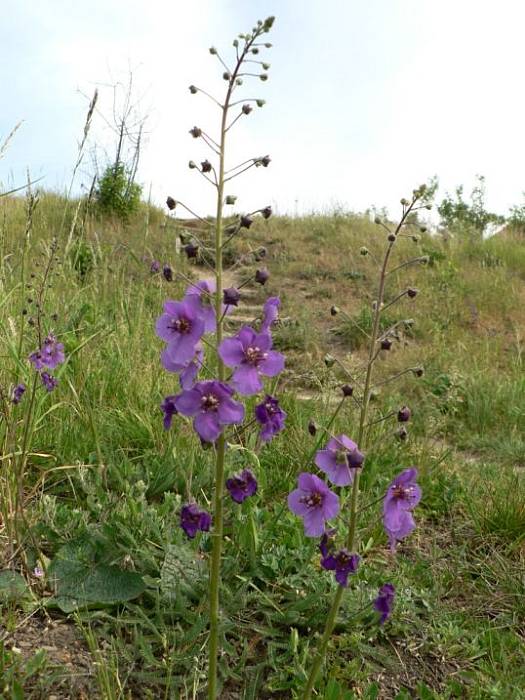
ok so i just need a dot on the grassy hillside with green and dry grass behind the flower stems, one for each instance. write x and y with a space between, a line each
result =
104 481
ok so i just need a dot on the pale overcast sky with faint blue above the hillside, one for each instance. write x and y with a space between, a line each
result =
365 99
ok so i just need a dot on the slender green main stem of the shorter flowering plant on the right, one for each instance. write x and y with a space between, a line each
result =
362 439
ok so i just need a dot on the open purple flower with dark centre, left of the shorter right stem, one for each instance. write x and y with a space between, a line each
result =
314 502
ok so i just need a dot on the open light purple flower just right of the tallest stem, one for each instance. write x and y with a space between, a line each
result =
251 355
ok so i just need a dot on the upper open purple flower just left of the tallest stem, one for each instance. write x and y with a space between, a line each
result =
181 326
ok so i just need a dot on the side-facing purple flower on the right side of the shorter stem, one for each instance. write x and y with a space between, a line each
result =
402 496
